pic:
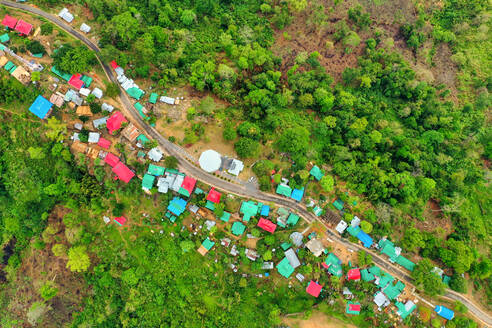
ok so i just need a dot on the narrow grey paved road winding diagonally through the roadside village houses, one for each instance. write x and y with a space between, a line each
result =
241 190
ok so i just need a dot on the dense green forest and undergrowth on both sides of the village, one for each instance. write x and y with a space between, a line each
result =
390 135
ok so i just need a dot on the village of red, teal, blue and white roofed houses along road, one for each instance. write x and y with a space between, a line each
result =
303 253
